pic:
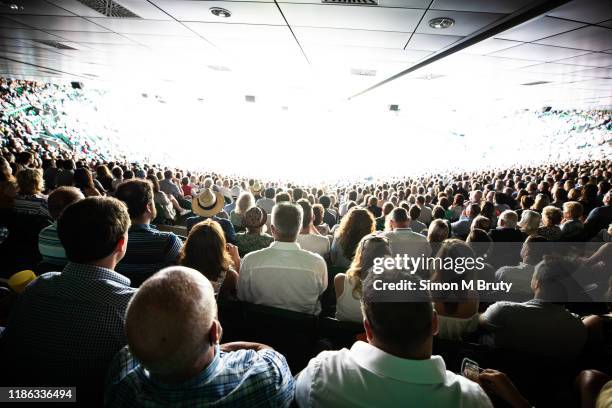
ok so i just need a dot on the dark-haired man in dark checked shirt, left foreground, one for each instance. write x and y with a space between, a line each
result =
67 326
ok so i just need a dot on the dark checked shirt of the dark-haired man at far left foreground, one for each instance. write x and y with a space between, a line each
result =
69 322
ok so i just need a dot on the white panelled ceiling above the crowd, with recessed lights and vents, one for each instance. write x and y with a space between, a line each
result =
285 49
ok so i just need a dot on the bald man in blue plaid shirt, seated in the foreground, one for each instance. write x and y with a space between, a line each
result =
173 357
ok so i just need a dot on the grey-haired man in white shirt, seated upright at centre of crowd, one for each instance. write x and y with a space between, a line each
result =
284 275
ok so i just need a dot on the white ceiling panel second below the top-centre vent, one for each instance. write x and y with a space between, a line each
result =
360 38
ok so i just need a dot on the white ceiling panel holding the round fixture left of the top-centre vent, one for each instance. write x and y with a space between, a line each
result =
242 12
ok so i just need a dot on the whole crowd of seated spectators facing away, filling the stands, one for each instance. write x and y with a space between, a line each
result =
140 257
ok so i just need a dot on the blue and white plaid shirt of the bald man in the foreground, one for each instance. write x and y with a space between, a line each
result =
243 378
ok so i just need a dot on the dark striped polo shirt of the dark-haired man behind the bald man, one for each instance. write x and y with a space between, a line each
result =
148 251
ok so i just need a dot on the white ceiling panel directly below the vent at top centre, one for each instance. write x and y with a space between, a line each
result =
358 18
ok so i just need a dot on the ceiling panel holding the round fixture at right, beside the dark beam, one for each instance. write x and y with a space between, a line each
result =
466 23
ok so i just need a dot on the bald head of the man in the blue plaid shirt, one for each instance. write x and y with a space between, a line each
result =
169 321
